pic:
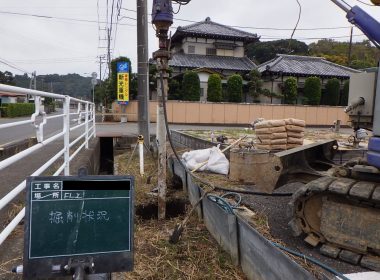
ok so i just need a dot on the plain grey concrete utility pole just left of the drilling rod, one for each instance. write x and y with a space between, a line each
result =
142 70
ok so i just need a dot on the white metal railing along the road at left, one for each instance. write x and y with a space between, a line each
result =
85 112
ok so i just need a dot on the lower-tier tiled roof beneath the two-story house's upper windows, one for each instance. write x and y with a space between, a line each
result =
211 62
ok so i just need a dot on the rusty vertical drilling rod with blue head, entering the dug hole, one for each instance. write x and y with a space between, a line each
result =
162 18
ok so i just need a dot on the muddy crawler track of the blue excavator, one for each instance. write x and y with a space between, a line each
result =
341 214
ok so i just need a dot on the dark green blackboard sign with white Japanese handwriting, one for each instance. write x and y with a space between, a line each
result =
87 219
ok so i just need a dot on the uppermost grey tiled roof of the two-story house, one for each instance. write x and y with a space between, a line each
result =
210 29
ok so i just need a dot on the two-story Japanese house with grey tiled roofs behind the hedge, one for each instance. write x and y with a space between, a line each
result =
208 47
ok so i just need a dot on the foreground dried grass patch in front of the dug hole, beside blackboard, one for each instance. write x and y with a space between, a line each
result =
196 256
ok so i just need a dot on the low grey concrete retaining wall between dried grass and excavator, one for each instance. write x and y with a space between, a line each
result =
258 258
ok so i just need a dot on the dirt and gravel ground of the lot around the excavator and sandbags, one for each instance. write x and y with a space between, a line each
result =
274 208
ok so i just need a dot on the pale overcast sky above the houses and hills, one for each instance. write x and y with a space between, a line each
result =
63 45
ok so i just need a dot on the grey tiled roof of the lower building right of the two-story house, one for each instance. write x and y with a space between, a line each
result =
305 65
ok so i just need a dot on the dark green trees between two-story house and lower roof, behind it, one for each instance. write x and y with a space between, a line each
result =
264 51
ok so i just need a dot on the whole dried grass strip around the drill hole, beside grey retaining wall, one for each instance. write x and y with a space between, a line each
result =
196 256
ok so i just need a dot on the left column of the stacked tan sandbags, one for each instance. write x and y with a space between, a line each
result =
271 135
